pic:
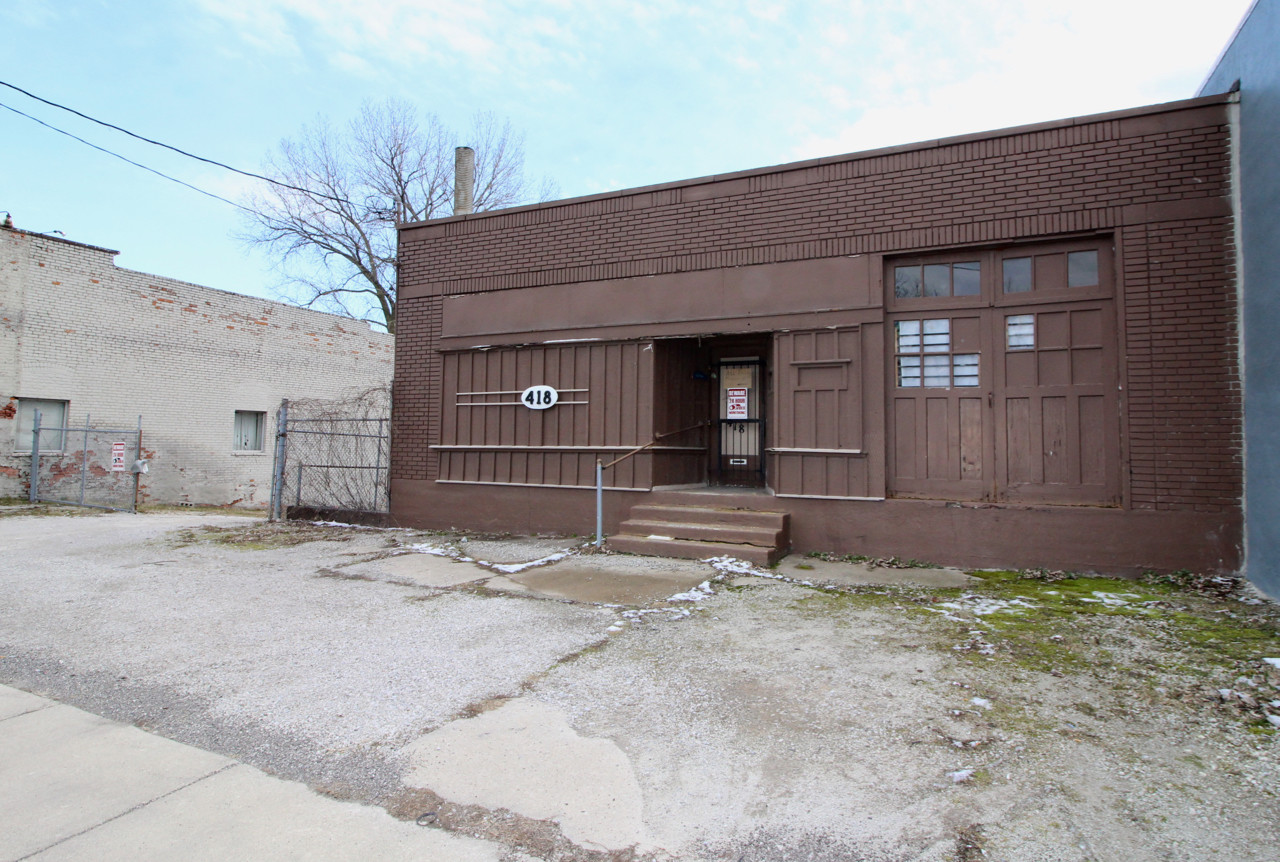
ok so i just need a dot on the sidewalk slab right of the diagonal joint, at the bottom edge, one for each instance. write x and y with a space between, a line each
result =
243 814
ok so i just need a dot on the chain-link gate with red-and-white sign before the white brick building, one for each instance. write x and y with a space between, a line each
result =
84 466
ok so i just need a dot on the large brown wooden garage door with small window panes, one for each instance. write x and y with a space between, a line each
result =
1003 371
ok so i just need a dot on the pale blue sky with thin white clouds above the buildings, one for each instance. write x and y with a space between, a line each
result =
609 94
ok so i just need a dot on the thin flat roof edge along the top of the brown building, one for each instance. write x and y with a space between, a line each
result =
1163 108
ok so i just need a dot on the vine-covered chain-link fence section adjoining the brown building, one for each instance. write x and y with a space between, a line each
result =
333 458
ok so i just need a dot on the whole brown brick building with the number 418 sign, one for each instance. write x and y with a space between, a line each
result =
1018 348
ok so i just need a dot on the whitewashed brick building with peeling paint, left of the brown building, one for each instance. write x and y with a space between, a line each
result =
205 370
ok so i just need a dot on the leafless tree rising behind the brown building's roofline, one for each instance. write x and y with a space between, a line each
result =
337 239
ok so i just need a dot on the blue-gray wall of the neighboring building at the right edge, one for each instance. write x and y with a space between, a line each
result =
1254 60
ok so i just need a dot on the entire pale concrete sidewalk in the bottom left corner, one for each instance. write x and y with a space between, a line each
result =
77 787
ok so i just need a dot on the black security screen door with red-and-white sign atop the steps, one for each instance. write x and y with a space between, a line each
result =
742 423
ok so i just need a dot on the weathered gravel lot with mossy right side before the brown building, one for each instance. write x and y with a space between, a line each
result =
1022 719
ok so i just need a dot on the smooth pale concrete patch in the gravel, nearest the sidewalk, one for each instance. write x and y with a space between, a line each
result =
527 759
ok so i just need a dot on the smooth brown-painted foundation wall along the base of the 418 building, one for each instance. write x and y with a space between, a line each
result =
1109 541
